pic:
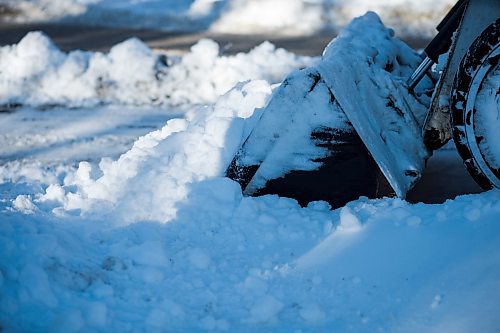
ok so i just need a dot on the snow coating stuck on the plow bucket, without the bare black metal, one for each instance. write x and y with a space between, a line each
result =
359 80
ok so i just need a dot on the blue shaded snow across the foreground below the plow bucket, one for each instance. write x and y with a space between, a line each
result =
284 276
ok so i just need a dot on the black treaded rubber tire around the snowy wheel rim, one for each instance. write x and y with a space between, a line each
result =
475 60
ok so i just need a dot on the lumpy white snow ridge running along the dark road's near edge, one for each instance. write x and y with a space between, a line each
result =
35 72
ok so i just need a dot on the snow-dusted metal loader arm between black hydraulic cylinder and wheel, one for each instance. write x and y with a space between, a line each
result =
478 14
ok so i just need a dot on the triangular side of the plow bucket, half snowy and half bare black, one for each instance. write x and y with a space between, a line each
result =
303 147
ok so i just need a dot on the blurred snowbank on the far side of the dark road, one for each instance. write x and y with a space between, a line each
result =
282 17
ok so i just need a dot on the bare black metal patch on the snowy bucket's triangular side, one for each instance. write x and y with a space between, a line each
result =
347 173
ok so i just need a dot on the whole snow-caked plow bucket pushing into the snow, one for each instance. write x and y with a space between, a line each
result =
344 128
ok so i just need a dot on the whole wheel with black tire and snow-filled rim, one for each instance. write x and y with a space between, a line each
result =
475 109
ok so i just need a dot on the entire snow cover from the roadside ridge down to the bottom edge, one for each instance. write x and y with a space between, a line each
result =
153 237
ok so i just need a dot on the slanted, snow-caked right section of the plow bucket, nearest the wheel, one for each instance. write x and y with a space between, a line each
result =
366 67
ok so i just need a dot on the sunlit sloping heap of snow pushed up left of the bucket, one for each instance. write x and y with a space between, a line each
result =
149 181
